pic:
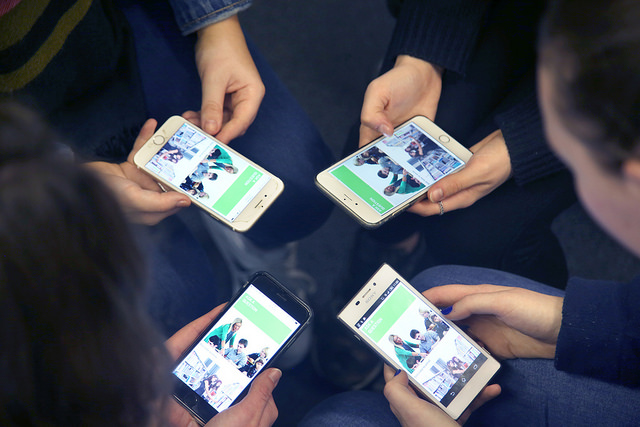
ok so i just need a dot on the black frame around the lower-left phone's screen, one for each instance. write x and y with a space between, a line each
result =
279 294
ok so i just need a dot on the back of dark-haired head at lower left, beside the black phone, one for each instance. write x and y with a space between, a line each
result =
78 347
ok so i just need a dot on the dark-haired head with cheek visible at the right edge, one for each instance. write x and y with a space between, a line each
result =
589 90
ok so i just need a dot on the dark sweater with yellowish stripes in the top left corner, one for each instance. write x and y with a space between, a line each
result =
74 61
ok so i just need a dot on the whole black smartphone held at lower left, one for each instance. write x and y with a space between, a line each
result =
261 321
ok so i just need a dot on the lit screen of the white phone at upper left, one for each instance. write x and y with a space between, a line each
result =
208 171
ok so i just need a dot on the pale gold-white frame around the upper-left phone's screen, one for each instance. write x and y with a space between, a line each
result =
254 209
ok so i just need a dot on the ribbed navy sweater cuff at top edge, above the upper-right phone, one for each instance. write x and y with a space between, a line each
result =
442 33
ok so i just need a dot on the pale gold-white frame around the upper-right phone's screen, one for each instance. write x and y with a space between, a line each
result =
361 211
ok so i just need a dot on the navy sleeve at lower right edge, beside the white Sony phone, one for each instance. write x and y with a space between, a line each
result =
600 332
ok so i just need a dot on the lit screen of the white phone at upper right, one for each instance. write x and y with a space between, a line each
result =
394 168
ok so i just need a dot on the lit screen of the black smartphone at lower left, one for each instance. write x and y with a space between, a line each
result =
236 348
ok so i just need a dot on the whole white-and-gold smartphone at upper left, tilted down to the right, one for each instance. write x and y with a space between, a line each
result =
218 179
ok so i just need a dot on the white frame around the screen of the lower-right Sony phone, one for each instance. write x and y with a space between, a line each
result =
375 286
